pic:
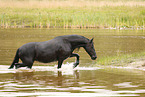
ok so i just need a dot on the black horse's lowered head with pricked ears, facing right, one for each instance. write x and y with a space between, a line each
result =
89 47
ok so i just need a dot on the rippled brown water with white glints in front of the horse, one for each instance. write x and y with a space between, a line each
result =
84 81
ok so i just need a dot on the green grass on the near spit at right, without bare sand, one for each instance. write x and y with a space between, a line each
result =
121 60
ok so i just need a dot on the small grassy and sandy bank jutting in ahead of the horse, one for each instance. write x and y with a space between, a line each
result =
133 61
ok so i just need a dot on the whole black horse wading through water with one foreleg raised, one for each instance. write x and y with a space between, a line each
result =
57 49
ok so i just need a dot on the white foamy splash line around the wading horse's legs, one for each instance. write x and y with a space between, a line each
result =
66 69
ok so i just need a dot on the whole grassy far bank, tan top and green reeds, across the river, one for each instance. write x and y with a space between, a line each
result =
72 14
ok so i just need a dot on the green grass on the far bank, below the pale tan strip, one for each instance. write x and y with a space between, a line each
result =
73 17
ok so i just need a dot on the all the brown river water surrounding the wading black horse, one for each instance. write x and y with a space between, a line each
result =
83 81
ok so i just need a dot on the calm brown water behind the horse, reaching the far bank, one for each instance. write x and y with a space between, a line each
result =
107 42
